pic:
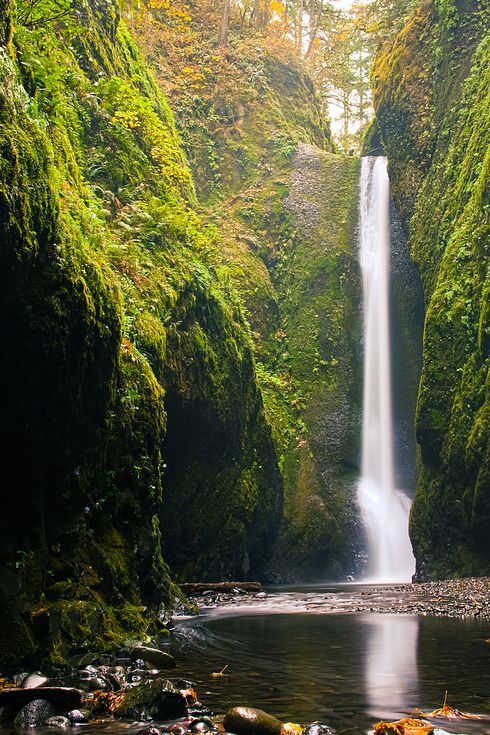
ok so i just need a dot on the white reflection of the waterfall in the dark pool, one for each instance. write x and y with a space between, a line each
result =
391 673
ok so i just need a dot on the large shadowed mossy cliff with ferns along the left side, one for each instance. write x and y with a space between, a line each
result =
124 348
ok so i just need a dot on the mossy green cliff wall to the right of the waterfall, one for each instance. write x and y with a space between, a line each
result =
431 93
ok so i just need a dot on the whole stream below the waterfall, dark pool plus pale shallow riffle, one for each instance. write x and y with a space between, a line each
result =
308 654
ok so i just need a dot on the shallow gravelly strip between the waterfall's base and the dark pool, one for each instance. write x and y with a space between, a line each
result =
461 598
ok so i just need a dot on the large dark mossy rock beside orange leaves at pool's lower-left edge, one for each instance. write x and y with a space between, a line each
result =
153 699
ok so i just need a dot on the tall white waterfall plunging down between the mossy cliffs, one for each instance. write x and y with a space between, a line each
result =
384 509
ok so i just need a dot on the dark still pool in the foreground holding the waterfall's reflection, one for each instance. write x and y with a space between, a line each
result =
346 670
